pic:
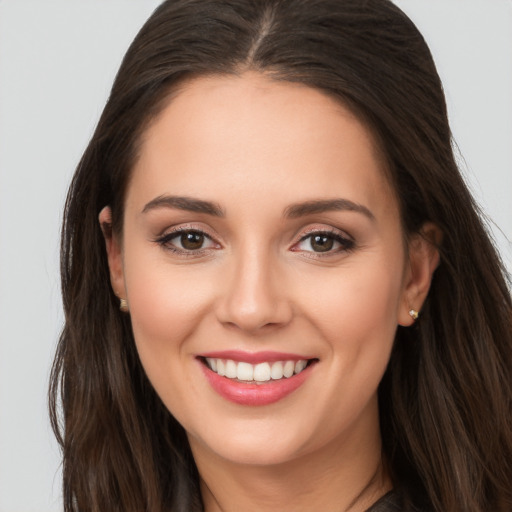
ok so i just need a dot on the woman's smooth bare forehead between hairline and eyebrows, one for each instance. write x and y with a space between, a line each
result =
249 134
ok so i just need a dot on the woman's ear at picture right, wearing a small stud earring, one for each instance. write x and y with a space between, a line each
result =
423 259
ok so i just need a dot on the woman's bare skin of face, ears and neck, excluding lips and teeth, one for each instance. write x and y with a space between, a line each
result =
254 147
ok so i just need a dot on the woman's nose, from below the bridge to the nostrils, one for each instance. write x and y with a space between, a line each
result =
254 296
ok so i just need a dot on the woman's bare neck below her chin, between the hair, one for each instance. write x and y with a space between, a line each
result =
340 477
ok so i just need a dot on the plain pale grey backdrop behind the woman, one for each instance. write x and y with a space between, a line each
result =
57 62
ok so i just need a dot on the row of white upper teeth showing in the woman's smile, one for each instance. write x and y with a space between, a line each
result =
261 372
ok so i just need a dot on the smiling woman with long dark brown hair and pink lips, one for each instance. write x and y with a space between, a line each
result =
278 291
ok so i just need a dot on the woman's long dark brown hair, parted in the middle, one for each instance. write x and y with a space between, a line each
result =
446 398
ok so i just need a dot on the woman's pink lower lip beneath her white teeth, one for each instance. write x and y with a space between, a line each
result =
265 393
